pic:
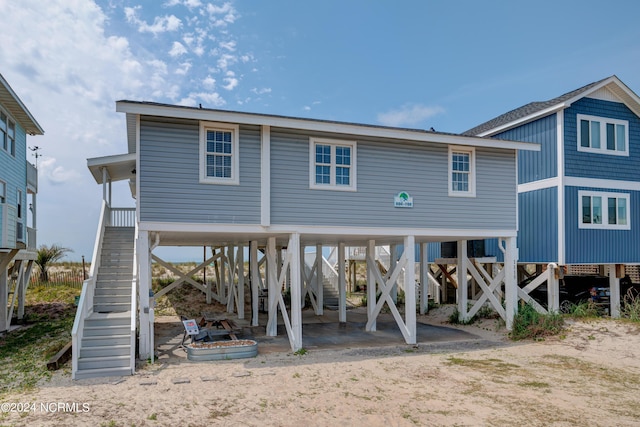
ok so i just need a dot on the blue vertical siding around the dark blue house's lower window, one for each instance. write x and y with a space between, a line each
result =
589 246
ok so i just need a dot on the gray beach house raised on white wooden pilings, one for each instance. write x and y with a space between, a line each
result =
274 185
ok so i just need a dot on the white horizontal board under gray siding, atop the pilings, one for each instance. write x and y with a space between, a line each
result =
363 232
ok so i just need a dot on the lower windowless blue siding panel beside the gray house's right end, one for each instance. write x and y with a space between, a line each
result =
538 226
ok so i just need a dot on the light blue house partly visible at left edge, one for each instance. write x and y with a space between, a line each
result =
18 187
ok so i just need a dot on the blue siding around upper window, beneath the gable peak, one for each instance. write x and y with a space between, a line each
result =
595 165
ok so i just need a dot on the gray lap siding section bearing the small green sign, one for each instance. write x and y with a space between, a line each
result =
384 168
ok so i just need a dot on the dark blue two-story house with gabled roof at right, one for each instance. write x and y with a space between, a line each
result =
579 196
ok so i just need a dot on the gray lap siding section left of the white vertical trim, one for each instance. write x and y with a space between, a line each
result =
170 190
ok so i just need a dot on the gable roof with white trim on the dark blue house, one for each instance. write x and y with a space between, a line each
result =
536 110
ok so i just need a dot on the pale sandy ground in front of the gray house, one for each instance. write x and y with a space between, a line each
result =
589 376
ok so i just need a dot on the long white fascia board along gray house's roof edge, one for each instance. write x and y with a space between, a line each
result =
317 125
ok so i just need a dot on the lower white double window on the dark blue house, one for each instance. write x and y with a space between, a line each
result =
603 210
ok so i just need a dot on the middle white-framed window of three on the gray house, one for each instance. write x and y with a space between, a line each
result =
332 164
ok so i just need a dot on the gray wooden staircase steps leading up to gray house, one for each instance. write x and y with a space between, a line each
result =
105 348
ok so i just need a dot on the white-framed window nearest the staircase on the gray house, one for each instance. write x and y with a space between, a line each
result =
219 160
